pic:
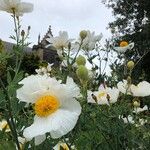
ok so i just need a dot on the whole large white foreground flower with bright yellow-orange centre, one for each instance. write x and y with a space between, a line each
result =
56 109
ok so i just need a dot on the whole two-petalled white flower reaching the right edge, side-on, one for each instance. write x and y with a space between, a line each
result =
140 90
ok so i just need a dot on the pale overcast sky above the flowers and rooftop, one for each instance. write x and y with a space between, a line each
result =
65 15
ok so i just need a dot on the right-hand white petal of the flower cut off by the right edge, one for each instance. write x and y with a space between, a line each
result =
142 89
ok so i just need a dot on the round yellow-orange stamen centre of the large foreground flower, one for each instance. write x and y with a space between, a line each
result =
46 105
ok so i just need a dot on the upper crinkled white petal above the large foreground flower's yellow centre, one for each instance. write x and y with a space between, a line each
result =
36 86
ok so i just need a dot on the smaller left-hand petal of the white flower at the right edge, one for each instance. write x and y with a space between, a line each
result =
124 87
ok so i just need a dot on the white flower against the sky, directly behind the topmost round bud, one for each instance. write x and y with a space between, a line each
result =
90 41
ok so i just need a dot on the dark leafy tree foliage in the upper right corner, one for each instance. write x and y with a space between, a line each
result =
132 23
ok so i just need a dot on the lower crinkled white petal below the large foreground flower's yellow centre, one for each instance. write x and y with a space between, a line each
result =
58 123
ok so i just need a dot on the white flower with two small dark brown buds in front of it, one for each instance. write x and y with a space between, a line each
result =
103 95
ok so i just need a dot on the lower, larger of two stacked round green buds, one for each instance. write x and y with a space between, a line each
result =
82 73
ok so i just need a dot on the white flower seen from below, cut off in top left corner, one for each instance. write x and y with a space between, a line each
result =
15 6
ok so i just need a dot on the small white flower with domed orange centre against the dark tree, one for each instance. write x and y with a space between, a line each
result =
124 46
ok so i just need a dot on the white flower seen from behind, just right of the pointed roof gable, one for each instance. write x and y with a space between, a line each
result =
60 42
